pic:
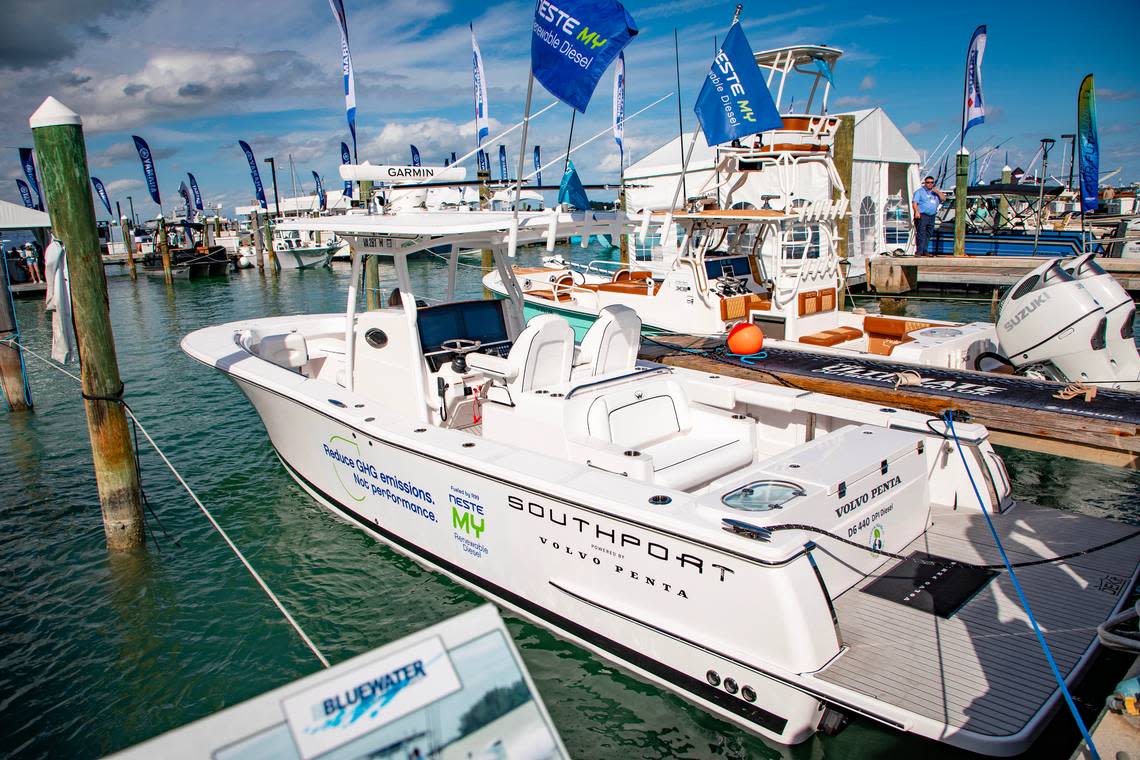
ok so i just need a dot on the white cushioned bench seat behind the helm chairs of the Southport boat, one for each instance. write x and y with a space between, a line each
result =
682 447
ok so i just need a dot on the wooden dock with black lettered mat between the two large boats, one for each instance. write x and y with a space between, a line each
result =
1020 412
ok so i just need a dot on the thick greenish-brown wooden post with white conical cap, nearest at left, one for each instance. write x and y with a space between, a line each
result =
59 136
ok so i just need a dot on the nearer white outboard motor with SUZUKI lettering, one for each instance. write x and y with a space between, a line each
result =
1049 320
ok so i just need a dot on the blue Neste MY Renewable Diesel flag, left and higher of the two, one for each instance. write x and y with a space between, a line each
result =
574 44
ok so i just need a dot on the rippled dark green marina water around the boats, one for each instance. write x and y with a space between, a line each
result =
102 652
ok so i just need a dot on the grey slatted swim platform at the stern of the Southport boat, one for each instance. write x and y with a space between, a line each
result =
982 669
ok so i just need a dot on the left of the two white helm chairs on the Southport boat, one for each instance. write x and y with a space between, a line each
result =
540 358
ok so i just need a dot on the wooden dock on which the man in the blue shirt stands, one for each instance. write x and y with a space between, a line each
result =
894 275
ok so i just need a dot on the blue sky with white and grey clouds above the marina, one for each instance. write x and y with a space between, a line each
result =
196 77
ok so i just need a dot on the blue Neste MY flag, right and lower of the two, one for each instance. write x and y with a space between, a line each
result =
735 101
